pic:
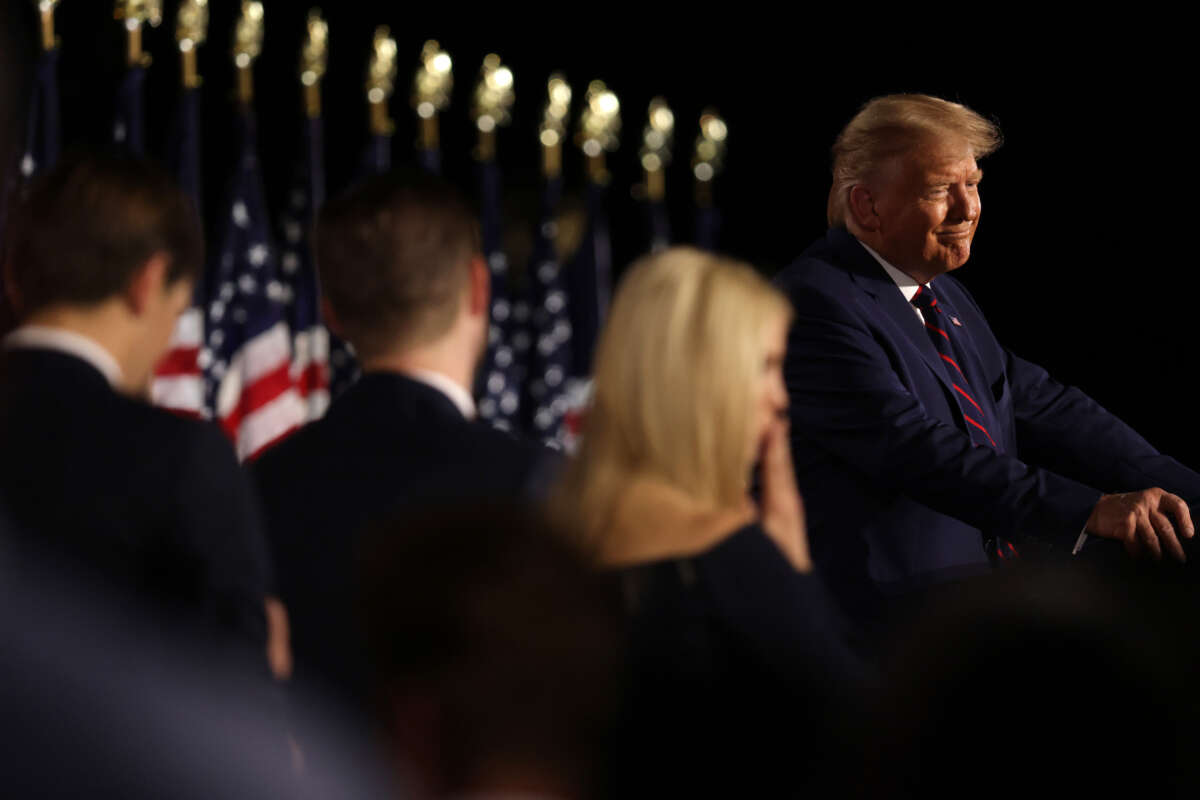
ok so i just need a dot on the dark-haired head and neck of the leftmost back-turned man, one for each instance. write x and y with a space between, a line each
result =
110 246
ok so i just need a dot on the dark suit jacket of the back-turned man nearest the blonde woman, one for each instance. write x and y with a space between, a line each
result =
388 442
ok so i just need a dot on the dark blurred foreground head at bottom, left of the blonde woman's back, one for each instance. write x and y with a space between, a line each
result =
495 654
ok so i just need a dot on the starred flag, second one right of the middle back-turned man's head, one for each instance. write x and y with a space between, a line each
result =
550 360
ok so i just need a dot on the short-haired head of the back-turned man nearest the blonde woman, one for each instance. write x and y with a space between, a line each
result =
401 269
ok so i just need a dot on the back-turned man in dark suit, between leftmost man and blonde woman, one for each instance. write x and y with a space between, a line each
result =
406 285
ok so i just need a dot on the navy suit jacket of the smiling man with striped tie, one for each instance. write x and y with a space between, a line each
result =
897 495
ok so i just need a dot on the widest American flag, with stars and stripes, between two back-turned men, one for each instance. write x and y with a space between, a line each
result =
248 354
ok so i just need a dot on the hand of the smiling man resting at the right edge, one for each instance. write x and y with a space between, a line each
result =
1141 520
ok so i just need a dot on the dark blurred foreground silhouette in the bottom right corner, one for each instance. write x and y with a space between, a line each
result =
1043 683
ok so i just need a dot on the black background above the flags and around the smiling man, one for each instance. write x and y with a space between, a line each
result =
1083 262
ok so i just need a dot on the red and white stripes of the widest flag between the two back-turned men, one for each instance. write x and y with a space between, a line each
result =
257 401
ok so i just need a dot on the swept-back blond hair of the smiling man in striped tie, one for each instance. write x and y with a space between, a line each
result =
891 125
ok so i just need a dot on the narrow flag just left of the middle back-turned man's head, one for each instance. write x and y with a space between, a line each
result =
302 298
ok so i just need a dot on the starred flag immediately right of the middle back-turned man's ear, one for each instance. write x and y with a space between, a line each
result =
502 377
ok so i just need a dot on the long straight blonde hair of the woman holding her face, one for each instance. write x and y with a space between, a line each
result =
675 370
